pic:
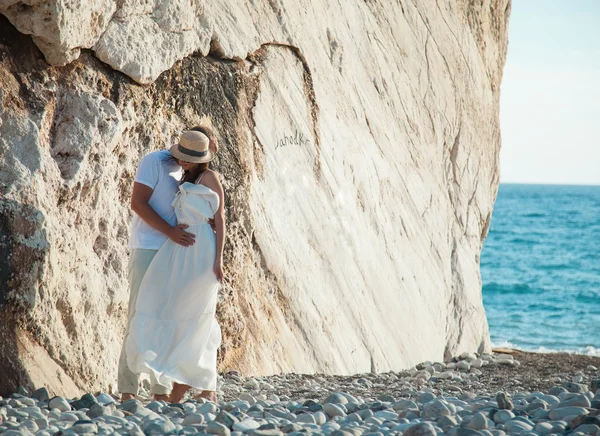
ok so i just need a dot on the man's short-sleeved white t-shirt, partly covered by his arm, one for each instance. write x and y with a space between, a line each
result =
161 173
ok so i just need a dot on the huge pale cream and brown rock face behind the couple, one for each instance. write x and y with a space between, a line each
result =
359 149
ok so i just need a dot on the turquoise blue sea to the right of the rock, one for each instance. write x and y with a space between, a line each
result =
540 268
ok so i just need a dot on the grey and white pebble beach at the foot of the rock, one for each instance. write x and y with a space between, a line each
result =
504 393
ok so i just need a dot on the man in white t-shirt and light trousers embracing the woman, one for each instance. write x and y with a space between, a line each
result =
155 185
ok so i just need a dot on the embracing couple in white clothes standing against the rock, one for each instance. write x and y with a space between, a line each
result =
175 268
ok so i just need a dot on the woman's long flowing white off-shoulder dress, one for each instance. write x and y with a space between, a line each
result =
174 335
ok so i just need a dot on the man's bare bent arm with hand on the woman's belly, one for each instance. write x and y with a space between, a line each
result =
139 204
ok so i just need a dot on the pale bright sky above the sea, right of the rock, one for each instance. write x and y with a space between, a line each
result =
550 94
